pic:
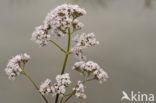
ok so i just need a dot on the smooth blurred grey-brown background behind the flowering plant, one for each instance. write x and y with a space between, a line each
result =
126 30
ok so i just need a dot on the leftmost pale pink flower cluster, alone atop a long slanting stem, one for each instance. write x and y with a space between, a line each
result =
13 68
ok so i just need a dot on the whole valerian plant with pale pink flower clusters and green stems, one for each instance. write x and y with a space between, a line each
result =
60 22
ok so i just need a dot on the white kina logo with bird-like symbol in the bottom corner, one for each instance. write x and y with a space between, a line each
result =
138 96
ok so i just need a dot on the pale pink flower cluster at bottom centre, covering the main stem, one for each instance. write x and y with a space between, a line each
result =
63 81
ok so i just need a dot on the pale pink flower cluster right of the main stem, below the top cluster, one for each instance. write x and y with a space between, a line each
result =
83 41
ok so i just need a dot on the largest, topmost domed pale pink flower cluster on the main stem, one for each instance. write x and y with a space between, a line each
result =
64 17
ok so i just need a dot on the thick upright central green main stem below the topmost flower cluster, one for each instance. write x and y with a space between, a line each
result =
65 60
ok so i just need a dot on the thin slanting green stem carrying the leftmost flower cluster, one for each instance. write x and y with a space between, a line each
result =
34 85
